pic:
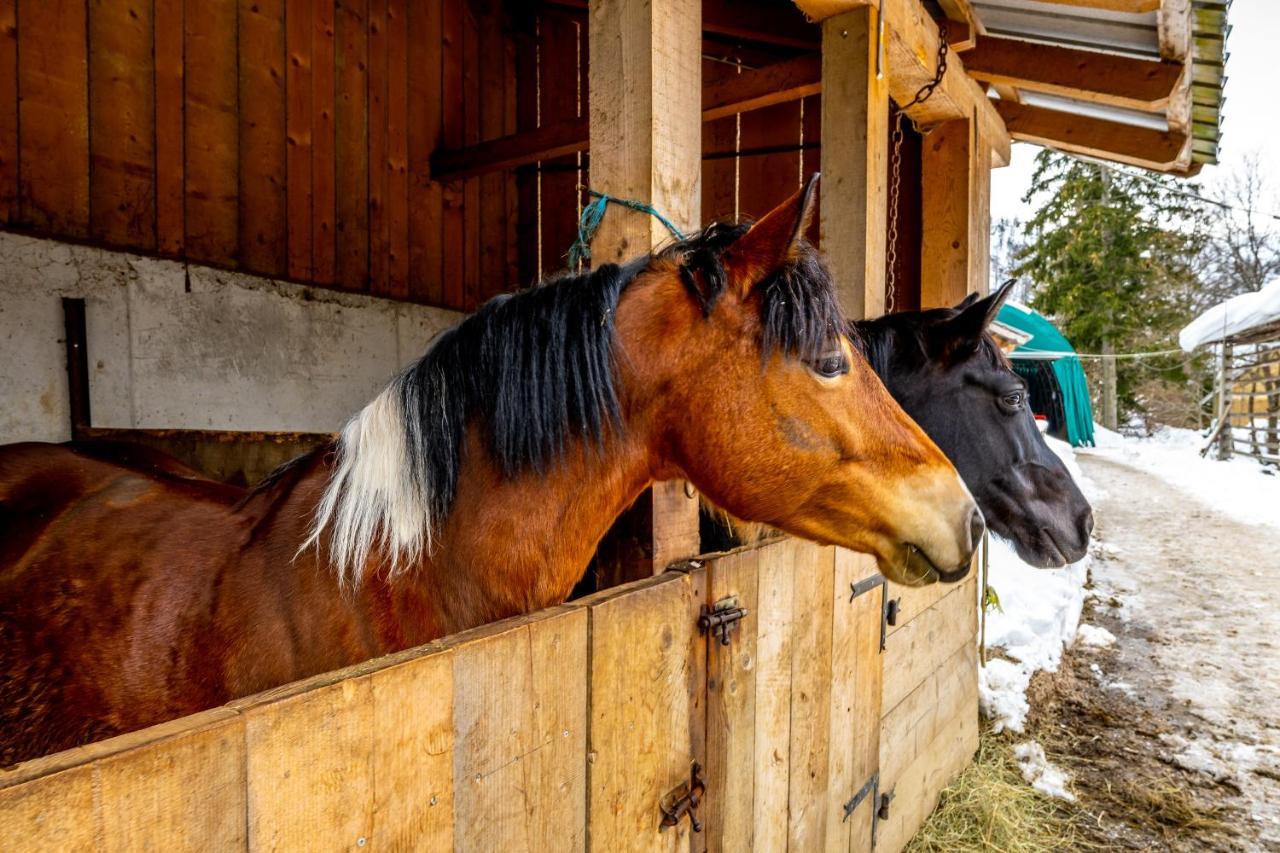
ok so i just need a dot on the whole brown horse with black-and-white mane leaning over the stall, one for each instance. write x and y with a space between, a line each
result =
477 486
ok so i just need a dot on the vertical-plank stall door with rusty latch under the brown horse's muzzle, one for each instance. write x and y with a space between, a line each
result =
793 701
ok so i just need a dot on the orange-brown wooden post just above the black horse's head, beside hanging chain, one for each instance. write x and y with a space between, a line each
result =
945 235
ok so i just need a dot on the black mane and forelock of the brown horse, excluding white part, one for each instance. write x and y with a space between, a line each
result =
537 368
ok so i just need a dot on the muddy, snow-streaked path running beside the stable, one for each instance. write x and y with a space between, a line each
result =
1192 685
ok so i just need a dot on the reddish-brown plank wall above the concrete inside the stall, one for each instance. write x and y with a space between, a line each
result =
289 139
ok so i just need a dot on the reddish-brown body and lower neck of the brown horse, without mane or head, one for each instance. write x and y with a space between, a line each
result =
209 595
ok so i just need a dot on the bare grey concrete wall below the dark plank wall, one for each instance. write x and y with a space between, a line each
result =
185 346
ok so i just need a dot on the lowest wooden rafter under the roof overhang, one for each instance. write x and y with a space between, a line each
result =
1141 147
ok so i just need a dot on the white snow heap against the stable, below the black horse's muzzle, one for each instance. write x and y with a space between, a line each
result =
1039 615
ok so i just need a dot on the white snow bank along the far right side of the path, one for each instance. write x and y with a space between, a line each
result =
1240 487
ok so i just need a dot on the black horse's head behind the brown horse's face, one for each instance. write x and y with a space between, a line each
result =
947 372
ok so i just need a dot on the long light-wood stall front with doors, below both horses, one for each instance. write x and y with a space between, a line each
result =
566 729
